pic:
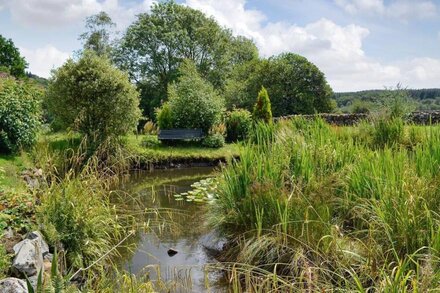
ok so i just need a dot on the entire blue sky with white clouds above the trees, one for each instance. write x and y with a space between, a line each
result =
358 44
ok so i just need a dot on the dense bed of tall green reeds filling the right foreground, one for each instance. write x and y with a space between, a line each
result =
336 208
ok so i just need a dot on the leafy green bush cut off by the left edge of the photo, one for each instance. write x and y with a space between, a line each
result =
19 114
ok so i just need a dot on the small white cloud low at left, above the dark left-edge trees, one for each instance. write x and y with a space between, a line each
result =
43 60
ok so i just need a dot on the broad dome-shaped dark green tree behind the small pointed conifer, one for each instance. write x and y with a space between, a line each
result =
295 85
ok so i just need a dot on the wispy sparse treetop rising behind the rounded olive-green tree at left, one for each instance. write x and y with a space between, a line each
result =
97 36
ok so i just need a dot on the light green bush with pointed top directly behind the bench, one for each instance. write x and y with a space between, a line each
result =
193 101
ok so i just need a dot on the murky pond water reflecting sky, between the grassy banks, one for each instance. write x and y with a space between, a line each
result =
175 224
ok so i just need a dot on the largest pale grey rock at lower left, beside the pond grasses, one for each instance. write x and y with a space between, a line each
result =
29 253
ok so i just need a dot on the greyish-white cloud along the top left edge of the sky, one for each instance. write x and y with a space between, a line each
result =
47 13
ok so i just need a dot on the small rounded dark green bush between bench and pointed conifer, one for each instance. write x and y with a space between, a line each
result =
238 125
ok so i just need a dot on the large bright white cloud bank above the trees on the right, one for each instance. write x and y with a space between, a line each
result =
336 50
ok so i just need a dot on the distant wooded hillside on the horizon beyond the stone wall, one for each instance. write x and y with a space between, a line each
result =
365 101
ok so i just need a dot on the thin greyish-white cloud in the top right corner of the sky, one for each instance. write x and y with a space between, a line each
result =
400 9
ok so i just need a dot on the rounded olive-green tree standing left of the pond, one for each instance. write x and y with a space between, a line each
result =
93 97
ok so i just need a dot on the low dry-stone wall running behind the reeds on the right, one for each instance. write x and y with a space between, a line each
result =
419 117
